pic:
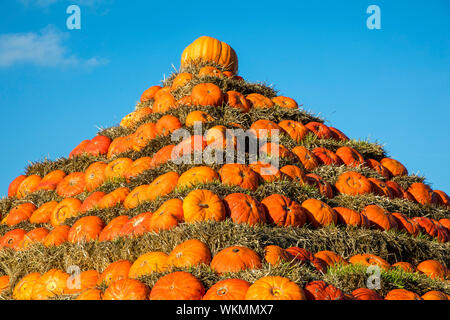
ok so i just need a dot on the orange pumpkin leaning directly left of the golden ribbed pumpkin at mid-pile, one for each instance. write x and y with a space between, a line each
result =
168 215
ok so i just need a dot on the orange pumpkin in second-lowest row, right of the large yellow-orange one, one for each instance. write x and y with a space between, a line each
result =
235 259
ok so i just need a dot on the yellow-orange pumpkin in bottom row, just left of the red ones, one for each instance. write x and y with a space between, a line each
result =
274 288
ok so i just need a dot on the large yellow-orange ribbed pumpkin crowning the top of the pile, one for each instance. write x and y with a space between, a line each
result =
210 49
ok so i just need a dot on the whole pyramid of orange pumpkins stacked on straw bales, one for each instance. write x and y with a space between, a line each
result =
222 189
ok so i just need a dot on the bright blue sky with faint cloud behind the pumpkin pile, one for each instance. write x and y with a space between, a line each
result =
57 86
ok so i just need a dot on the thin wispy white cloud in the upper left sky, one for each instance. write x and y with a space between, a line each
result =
45 48
